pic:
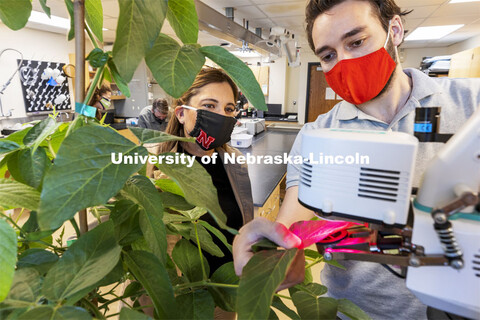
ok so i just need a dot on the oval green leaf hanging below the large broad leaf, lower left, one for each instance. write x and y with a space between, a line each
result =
87 261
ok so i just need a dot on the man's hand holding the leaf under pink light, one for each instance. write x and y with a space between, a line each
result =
255 230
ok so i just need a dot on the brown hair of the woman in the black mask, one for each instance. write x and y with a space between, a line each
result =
205 76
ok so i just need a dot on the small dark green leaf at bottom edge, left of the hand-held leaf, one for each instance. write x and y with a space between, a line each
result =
196 305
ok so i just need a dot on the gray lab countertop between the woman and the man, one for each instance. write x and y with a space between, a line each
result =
265 177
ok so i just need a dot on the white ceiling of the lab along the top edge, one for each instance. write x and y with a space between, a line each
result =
290 15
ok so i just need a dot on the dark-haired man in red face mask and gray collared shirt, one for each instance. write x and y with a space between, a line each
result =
356 42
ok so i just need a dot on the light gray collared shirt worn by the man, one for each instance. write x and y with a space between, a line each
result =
369 285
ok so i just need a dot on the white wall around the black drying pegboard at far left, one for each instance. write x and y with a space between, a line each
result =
34 45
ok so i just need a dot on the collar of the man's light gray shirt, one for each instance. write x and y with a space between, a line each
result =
422 87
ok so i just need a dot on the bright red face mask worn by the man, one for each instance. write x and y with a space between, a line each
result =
361 79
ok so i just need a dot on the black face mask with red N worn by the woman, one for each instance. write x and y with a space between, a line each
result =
211 129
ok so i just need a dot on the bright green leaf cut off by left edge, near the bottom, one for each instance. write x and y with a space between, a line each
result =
8 257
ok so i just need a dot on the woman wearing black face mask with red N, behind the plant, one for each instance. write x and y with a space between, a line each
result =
206 111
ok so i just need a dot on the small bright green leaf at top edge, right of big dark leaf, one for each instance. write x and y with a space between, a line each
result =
183 18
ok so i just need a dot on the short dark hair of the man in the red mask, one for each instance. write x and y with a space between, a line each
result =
385 10
